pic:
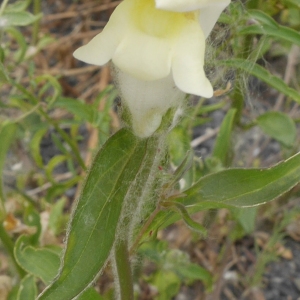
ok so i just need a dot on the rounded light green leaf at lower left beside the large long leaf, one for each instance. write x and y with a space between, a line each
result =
43 263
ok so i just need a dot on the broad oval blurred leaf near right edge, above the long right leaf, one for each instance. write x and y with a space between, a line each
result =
279 126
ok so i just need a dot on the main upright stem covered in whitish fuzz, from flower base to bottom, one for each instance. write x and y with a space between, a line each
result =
140 193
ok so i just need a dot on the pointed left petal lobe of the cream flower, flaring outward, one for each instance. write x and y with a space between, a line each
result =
102 47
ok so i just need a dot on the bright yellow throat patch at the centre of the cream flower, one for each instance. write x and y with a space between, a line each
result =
159 23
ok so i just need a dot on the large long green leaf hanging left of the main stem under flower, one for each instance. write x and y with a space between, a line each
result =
92 230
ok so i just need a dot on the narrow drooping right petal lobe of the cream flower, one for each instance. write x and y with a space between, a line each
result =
188 61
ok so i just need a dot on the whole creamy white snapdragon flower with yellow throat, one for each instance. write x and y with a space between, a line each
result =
157 47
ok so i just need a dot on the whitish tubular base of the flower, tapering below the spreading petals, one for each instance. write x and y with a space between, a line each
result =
147 101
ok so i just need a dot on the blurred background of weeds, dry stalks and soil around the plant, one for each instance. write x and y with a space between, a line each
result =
55 112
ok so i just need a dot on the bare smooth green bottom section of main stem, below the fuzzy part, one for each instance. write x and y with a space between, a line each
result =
123 268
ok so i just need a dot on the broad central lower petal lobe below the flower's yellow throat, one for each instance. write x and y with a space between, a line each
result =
143 56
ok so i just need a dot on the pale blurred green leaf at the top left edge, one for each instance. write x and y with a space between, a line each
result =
21 18
